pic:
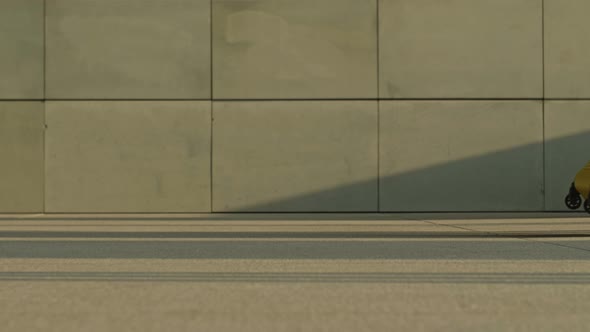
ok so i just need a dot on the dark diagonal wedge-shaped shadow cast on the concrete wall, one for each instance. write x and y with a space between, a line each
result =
513 180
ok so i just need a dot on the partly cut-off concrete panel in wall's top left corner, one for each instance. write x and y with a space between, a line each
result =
21 58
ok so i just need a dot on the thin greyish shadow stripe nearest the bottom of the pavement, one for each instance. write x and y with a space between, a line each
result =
298 277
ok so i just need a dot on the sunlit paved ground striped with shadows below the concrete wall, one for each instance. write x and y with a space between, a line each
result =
272 272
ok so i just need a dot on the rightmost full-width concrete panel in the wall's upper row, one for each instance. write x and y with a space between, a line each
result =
461 49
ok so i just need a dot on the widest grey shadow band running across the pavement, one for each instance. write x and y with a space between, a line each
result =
412 249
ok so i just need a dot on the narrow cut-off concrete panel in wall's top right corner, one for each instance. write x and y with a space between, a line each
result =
567 52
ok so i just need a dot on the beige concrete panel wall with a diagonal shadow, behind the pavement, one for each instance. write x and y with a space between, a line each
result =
292 105
